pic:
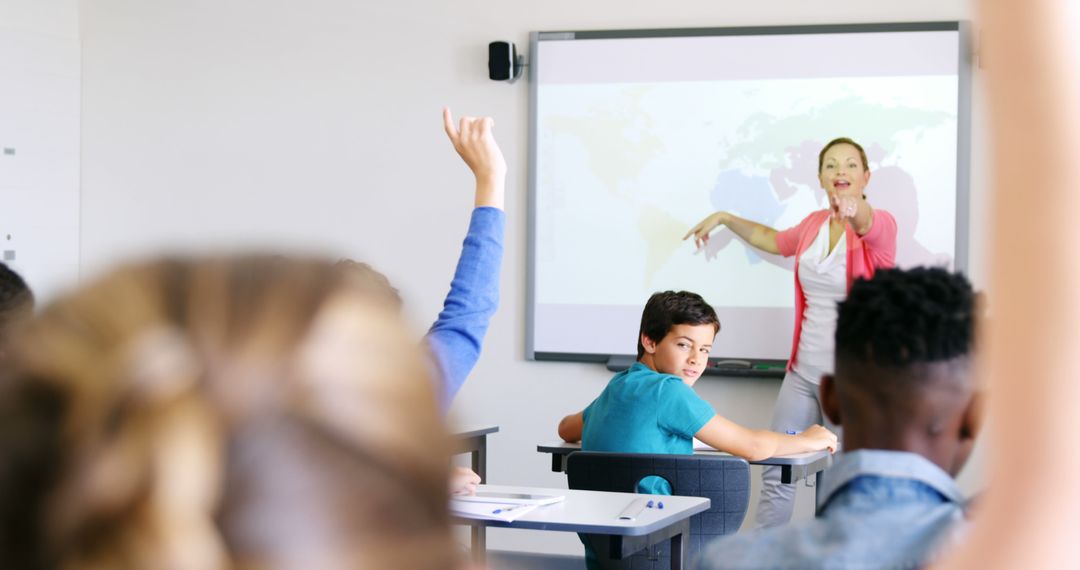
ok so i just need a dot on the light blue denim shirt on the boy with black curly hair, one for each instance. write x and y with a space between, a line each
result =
877 510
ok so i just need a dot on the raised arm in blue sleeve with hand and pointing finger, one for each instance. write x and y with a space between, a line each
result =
457 336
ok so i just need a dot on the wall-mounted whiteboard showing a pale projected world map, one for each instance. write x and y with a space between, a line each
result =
638 135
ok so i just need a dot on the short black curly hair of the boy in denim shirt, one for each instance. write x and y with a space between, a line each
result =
902 318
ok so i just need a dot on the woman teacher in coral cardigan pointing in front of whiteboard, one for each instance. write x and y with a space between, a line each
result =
834 247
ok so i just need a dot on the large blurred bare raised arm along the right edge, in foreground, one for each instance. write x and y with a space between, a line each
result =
1029 518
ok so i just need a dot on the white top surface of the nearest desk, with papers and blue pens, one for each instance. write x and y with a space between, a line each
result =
597 512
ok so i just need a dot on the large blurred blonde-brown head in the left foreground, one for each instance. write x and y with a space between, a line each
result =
246 412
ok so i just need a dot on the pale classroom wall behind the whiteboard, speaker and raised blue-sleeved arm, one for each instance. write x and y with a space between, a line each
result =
316 127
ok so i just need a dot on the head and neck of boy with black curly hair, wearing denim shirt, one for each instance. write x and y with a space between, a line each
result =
903 381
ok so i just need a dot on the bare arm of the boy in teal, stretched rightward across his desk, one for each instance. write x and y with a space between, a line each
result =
755 445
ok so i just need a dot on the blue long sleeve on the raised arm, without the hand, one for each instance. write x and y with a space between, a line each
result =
457 336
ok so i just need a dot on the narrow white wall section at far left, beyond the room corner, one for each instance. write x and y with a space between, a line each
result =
39 142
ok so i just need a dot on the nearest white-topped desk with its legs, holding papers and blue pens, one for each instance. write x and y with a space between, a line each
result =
597 513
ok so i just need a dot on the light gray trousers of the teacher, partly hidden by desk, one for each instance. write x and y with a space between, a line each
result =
798 409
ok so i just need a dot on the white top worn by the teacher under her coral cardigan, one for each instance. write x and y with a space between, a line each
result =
823 276
